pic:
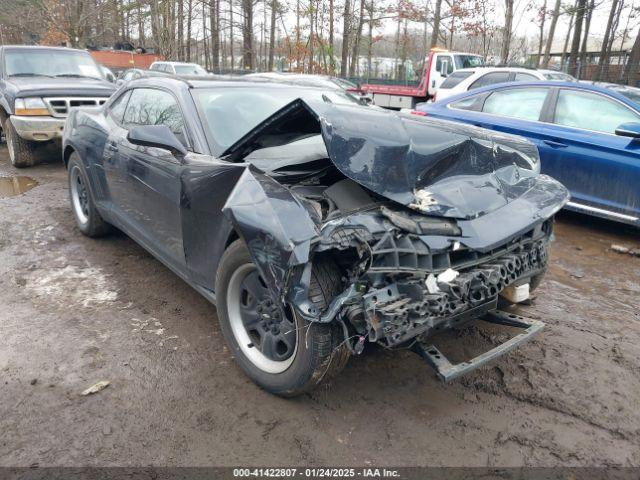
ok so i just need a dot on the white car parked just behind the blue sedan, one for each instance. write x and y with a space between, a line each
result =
469 78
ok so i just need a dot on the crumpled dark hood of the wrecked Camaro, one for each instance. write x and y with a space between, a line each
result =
433 166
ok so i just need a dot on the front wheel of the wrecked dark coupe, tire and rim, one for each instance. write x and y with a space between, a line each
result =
283 368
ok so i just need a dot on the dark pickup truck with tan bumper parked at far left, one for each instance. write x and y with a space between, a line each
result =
38 87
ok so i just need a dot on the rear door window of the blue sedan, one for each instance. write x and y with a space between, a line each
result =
523 103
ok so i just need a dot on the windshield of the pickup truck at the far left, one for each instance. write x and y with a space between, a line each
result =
50 63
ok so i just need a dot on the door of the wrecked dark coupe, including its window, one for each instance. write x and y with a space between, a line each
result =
152 175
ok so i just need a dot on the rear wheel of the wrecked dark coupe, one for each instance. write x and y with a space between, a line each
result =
88 219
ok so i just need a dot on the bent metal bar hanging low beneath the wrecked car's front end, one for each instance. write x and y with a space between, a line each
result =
447 371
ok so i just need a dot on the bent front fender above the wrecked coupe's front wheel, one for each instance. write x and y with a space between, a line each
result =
274 224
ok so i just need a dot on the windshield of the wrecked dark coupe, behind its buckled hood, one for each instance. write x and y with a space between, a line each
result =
230 113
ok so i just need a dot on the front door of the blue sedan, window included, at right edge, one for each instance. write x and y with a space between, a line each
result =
600 168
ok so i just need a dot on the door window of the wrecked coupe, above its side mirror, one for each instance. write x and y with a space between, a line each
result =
149 106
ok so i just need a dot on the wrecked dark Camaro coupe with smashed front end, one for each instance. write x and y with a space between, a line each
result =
314 223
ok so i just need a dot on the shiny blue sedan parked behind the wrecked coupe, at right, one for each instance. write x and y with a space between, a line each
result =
588 137
